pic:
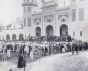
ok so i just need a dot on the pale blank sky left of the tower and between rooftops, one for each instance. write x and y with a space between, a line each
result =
12 9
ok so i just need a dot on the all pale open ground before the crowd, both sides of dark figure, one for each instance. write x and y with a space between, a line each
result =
58 62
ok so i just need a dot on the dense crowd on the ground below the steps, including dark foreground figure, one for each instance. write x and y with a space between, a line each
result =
36 50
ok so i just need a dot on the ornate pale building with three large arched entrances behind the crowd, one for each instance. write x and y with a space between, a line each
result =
51 21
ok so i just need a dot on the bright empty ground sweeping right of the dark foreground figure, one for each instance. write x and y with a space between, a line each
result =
62 62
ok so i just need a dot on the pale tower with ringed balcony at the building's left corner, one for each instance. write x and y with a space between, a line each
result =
28 7
